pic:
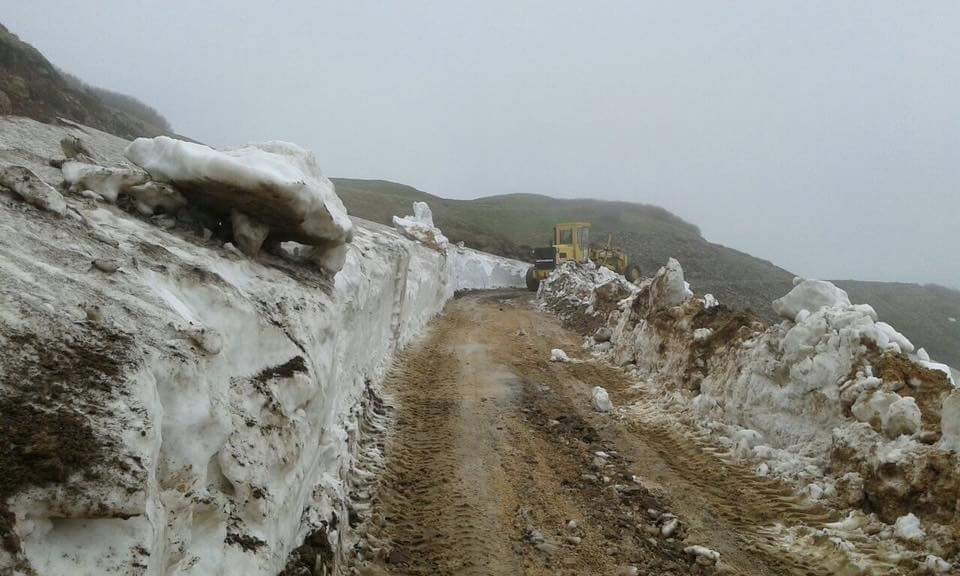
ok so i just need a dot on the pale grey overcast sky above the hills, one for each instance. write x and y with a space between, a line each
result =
824 136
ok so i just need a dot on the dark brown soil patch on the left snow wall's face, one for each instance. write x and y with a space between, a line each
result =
50 382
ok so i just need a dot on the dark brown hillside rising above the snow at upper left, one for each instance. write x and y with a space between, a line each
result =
31 86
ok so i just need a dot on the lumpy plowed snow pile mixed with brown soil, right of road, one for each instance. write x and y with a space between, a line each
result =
831 399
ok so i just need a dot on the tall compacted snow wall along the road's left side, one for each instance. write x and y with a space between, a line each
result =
188 410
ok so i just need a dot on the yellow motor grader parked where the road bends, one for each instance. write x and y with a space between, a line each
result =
571 241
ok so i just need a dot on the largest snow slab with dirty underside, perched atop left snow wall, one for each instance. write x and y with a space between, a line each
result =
276 183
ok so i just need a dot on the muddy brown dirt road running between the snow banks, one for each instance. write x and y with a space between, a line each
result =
497 464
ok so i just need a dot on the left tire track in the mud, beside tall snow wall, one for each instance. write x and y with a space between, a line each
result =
426 514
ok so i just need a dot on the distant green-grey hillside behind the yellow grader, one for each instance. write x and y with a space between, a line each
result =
510 224
